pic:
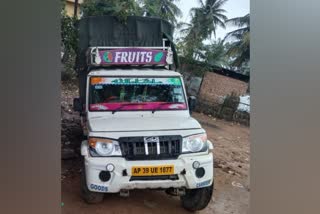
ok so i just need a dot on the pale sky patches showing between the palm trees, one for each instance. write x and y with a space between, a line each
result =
234 8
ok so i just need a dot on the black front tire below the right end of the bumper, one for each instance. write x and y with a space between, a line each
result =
197 199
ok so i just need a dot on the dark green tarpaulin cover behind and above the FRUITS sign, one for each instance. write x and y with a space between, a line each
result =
109 31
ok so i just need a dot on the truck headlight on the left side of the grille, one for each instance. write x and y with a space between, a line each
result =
104 147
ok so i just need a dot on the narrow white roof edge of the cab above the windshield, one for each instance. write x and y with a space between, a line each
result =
133 72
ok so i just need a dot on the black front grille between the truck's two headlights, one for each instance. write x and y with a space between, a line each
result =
133 148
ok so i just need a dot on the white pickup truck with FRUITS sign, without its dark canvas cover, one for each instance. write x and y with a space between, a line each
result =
139 133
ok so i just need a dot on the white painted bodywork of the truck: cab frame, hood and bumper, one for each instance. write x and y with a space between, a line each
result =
114 125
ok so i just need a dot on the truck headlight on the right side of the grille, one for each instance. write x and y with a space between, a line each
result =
195 143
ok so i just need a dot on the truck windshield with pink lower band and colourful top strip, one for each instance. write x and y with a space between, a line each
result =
136 93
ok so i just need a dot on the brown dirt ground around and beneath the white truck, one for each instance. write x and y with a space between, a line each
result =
231 195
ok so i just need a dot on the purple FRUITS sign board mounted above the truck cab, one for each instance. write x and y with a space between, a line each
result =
135 56
